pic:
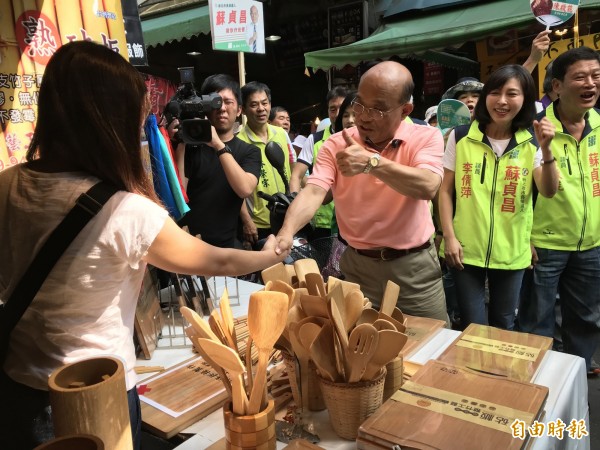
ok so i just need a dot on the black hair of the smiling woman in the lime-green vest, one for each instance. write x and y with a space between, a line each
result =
524 118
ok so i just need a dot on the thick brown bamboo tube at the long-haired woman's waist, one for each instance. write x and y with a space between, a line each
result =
90 397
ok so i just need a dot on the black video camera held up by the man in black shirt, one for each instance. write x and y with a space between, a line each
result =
191 108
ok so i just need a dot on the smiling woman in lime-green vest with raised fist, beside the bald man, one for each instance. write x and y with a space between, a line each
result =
486 204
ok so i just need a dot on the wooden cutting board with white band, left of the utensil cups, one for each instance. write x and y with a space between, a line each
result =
179 397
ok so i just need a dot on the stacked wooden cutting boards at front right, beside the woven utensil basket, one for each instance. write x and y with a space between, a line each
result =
444 407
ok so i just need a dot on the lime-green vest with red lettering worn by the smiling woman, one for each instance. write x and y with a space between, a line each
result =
493 214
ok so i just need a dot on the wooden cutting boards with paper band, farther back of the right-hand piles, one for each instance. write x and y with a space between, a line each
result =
486 349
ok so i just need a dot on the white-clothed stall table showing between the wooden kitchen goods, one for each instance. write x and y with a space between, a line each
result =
563 374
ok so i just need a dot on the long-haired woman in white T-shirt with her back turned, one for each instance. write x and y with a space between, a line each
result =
91 107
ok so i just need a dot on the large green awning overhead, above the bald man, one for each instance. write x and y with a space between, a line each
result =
435 31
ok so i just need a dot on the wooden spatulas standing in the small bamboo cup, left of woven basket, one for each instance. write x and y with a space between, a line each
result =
215 341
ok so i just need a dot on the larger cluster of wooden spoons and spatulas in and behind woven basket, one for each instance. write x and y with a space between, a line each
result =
333 325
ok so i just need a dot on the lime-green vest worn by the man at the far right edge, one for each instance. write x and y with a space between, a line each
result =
570 220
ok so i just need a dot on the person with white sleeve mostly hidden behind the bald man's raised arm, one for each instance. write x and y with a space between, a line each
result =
323 219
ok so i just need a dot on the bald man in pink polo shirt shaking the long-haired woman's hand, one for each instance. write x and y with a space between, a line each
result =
382 174
